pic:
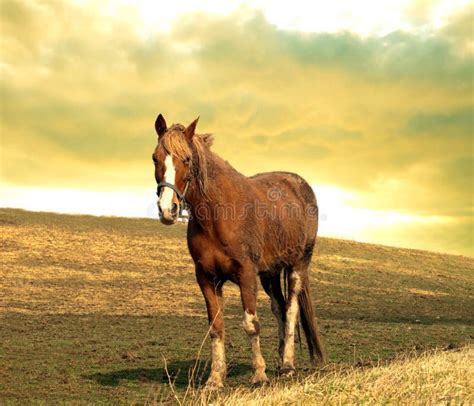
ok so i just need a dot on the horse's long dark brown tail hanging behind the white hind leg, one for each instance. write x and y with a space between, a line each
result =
310 327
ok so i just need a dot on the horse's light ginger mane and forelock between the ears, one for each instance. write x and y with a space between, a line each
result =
175 143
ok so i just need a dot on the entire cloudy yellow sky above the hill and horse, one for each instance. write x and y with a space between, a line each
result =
371 102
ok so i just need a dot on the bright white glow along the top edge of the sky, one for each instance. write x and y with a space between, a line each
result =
364 17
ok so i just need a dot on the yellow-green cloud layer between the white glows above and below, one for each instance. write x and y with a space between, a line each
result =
389 117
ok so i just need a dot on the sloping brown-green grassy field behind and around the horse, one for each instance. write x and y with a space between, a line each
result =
91 308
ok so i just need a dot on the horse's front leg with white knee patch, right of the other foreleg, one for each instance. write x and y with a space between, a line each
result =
248 293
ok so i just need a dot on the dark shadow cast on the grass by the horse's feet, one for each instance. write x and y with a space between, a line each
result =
179 373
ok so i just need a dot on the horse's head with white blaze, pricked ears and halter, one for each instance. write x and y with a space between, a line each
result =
172 159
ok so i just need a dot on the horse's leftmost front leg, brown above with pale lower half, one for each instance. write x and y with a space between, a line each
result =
212 293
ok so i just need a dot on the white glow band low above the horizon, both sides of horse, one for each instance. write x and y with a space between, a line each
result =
338 218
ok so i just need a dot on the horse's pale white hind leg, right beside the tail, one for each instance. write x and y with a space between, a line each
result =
292 310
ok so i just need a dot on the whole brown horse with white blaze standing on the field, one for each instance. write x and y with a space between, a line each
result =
241 228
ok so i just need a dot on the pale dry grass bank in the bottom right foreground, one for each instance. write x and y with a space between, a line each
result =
436 377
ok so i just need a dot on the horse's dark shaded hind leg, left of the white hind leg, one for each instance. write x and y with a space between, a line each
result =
272 286
